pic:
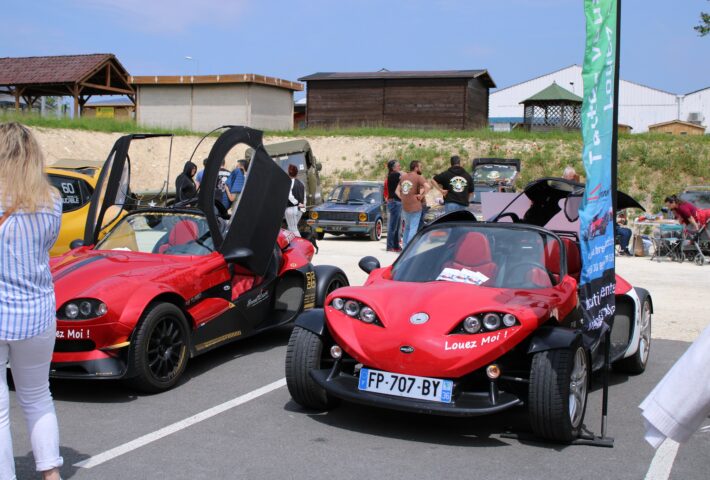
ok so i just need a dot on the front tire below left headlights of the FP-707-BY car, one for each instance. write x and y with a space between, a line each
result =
303 354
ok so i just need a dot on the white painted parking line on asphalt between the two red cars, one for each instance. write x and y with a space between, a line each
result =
177 426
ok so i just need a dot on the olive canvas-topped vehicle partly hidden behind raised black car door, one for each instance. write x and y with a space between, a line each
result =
300 154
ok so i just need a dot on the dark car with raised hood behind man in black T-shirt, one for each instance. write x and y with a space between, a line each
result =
489 175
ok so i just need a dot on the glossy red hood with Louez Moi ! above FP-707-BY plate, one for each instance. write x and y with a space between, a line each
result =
437 352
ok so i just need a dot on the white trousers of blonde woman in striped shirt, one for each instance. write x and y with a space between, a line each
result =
29 360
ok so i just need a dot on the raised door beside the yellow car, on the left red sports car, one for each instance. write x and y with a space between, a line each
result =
111 195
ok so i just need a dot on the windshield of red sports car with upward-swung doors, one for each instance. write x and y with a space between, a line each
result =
157 232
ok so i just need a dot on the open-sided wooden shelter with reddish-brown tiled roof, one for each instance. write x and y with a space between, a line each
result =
78 76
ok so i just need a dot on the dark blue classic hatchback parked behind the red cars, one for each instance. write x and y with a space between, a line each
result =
353 208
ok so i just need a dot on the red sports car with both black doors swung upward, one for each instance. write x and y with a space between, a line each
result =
167 284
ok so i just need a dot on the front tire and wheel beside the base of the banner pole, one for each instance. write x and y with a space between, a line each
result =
557 395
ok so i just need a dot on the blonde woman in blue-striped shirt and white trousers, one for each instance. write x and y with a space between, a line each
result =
30 214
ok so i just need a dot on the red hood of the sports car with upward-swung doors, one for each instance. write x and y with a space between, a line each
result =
106 274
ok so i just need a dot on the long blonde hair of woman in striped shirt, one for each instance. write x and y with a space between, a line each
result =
23 183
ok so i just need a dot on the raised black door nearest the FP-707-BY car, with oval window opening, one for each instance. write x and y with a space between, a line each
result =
252 230
